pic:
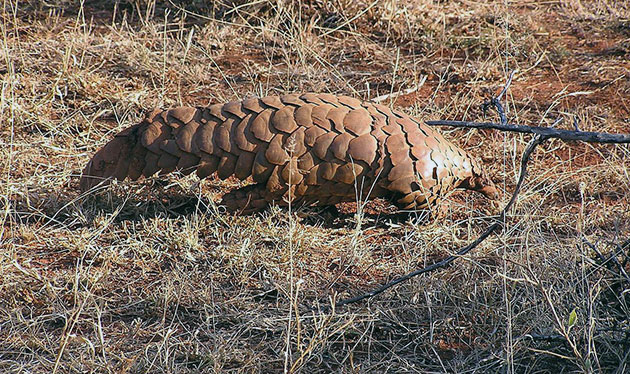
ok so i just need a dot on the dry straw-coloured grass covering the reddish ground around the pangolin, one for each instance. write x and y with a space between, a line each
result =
154 277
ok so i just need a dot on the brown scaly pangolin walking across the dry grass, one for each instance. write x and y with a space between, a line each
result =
307 148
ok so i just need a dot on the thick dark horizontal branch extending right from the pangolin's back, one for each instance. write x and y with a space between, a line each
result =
547 132
